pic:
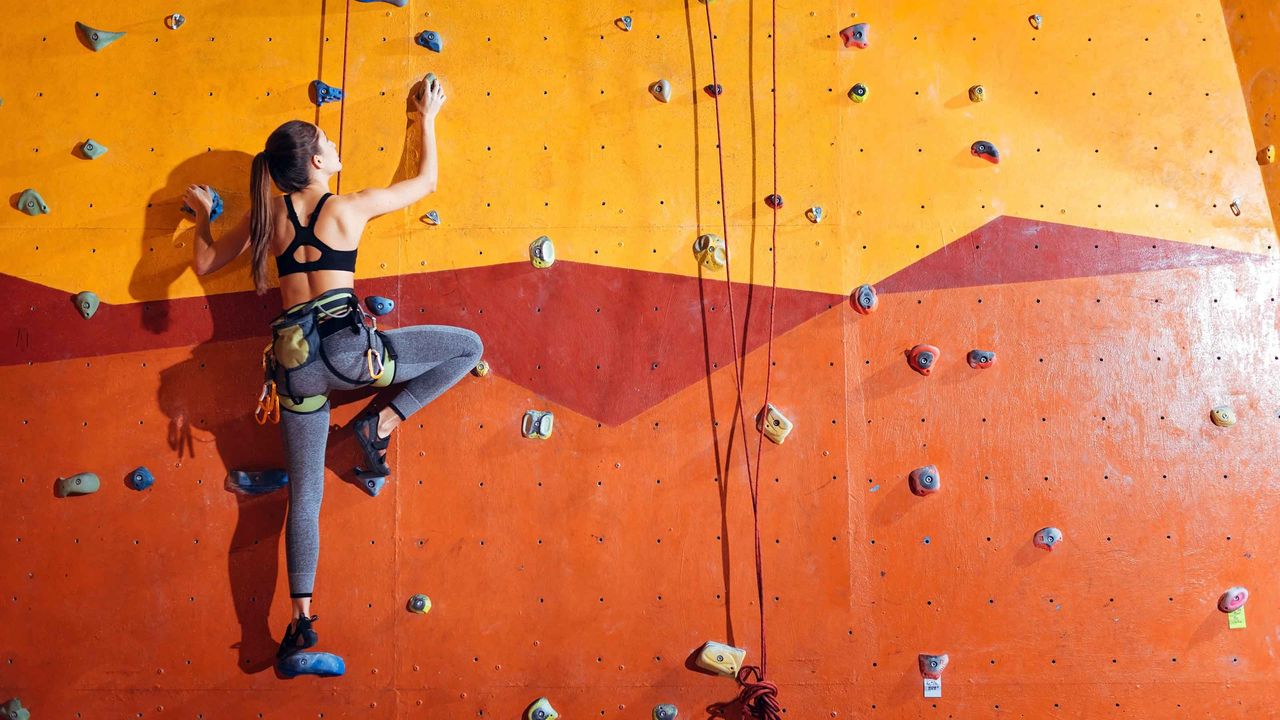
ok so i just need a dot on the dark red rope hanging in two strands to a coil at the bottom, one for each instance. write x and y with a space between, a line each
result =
758 696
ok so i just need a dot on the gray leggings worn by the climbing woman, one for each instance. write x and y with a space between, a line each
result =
429 361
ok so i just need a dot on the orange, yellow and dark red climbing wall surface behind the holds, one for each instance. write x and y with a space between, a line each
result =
1121 262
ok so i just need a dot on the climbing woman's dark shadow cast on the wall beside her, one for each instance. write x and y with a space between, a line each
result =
211 397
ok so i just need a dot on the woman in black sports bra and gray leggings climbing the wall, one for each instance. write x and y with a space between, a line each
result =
324 340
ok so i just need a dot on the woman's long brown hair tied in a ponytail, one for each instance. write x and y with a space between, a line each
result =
286 161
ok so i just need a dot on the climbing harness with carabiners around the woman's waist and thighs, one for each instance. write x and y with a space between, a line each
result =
298 340
